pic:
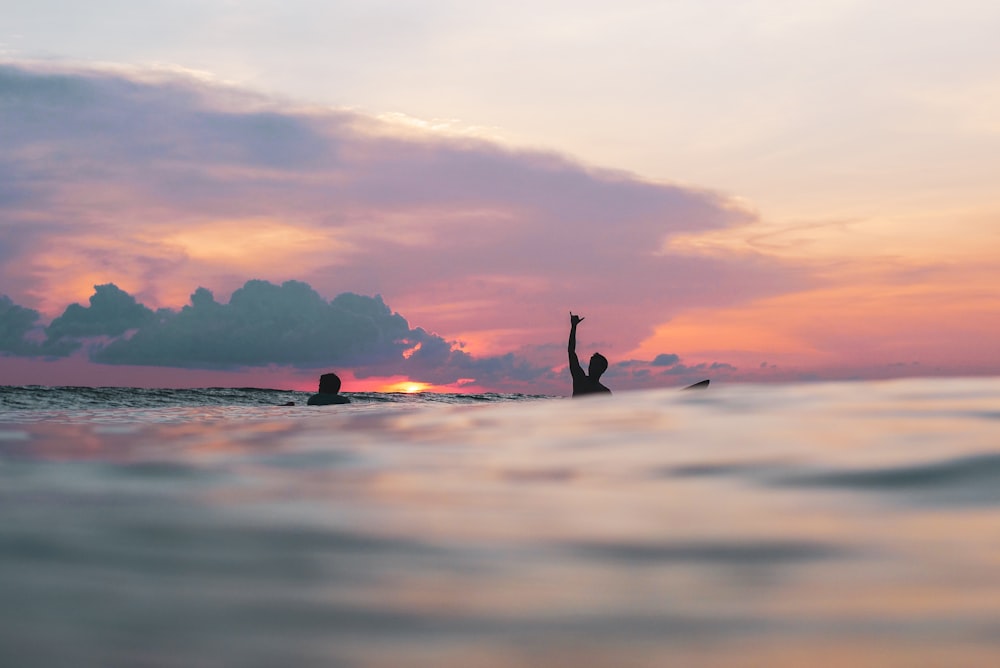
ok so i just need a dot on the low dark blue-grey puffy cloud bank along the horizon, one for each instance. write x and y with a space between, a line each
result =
291 325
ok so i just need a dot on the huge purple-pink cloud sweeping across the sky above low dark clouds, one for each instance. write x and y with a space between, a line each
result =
159 182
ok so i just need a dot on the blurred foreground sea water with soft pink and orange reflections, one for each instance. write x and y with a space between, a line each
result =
806 525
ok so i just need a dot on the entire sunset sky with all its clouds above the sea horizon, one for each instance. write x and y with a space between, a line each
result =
416 194
